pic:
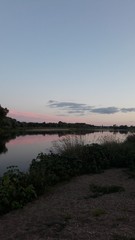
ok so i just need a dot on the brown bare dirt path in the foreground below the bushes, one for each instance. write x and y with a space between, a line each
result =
68 213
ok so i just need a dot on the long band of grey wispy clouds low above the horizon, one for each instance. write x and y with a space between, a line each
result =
82 109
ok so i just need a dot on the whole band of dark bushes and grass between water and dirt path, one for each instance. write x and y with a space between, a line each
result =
70 158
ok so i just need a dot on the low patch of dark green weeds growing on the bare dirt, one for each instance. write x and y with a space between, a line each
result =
98 190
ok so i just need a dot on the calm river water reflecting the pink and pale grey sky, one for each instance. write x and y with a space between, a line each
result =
21 150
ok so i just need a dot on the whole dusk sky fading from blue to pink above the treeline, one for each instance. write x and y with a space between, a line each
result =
70 61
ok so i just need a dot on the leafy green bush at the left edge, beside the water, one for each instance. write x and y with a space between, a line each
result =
15 191
